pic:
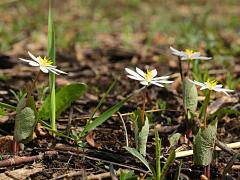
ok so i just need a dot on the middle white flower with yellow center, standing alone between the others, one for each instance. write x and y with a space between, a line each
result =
147 78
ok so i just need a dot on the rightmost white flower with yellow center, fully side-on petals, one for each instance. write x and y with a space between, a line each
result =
212 85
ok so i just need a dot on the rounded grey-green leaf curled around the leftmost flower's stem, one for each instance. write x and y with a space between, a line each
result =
25 122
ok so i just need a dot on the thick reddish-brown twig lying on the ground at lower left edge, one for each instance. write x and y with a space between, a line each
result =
25 159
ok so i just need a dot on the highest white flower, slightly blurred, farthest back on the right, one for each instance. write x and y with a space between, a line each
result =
188 54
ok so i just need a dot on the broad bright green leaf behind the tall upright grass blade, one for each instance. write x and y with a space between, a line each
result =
64 97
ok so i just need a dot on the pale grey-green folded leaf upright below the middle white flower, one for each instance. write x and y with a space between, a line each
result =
142 137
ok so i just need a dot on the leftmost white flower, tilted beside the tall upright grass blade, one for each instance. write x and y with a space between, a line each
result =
44 64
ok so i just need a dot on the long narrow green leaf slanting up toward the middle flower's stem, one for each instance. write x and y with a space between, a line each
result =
103 117
